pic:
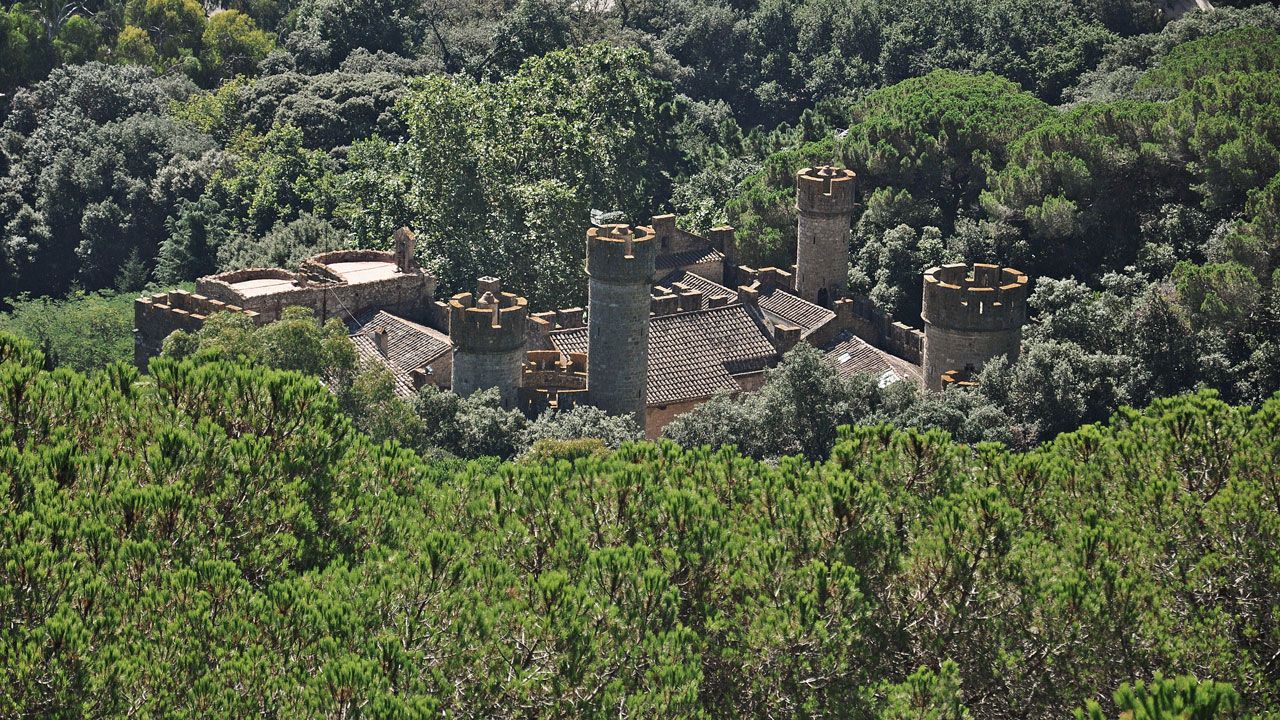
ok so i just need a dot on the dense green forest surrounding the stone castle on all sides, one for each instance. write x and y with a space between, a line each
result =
259 527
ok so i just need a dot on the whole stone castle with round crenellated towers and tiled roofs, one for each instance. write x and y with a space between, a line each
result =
671 321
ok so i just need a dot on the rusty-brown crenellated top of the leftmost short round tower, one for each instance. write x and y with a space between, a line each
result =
488 321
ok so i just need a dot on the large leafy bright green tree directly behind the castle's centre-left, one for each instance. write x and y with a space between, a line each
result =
499 174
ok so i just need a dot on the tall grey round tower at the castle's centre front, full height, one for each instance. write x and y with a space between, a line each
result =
620 262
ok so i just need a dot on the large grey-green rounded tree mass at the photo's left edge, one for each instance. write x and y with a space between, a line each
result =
93 170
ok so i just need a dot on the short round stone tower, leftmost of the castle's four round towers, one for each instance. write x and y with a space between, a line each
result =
488 334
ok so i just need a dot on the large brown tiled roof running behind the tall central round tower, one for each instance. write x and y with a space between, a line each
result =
694 356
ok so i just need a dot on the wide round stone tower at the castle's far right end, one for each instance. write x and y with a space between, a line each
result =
971 316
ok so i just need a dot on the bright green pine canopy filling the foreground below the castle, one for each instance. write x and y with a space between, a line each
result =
254 554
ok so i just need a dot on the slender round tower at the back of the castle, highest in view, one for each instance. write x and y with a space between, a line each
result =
825 211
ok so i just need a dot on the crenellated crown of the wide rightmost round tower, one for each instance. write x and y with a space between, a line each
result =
979 298
